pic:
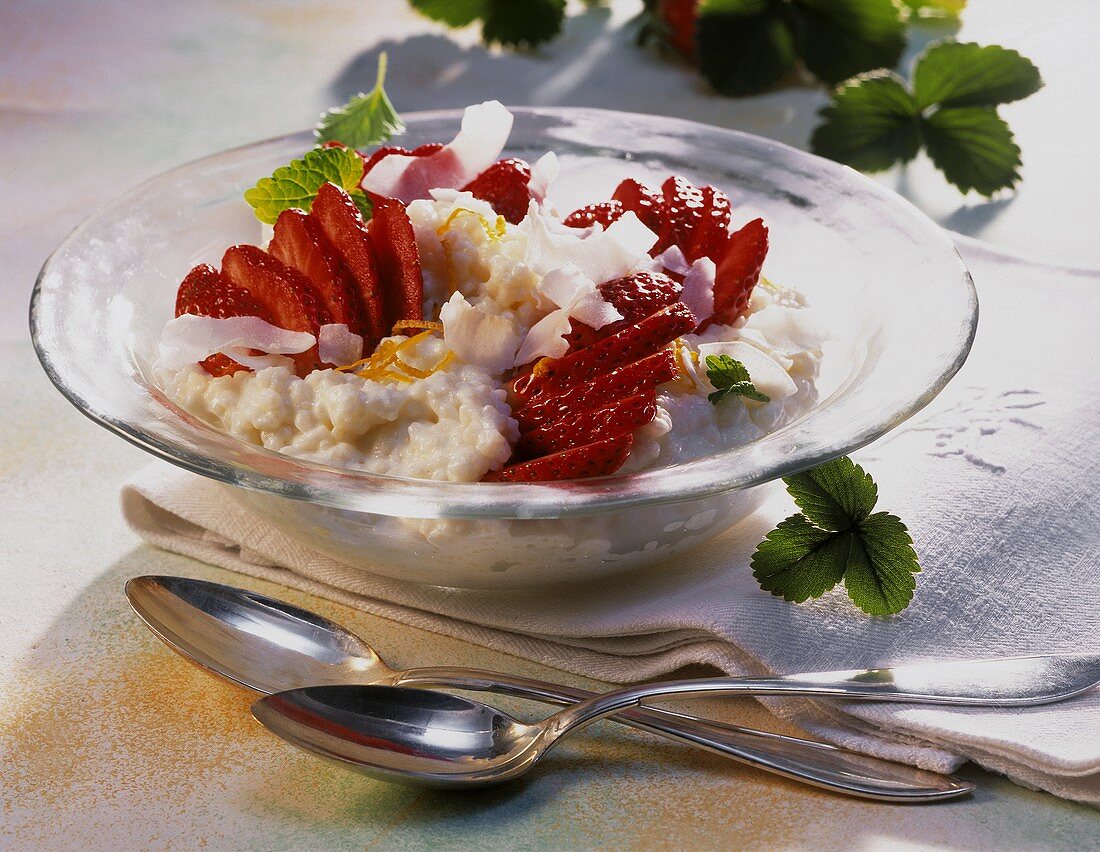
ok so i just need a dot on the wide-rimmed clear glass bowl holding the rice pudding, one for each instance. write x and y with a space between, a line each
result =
886 281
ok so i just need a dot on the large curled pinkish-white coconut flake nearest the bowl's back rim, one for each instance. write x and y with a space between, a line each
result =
477 147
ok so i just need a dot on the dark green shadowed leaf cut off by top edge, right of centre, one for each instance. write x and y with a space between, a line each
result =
747 47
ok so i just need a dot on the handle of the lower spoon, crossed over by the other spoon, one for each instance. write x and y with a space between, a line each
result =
816 764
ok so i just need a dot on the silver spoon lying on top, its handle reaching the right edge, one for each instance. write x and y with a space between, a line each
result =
434 739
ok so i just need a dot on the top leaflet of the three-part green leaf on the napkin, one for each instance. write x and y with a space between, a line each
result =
837 495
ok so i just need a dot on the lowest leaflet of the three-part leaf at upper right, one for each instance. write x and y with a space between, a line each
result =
974 148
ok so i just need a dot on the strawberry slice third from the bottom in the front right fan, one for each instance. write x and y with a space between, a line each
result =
620 384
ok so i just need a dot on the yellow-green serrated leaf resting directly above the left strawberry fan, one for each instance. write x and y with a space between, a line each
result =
296 184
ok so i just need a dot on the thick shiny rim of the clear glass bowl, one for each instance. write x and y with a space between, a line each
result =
359 491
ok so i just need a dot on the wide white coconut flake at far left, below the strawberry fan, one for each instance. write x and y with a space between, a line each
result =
191 339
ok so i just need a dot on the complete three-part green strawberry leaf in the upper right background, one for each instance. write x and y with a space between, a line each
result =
877 120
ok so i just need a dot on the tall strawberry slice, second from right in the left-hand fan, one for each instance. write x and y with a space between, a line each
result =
343 226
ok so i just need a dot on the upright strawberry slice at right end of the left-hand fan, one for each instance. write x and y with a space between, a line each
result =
399 262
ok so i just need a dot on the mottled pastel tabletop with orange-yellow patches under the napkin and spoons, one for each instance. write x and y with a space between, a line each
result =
111 742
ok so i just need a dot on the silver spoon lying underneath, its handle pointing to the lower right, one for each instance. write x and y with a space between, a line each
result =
270 646
